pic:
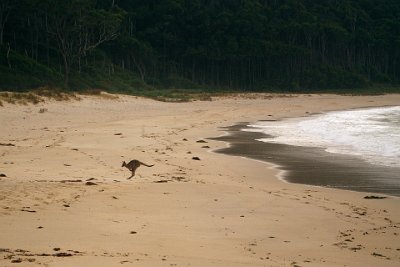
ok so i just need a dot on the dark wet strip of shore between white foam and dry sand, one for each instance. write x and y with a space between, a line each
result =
313 166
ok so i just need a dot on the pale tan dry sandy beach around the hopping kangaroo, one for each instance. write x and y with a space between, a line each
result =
65 199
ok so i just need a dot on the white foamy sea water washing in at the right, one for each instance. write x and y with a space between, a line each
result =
372 134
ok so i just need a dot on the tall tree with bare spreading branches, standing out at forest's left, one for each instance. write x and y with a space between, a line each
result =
79 27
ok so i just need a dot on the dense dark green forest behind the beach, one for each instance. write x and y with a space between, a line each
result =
257 45
